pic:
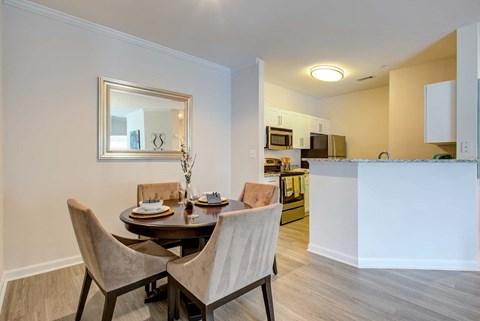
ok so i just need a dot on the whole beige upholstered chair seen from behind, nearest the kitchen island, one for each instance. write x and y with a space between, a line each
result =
237 258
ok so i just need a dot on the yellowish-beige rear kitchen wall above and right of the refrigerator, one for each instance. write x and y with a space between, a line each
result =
362 117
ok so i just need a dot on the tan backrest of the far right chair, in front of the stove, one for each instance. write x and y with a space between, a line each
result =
257 194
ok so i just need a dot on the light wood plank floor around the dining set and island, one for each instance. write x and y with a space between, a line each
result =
308 287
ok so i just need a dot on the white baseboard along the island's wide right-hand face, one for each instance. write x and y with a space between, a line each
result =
395 263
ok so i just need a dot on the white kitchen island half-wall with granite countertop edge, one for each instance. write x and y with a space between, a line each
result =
420 214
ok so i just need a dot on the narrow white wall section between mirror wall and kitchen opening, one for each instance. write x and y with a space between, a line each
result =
247 125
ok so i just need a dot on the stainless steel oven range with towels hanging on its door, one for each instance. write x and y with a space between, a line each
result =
292 191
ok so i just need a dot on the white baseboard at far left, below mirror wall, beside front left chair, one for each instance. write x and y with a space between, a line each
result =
41 268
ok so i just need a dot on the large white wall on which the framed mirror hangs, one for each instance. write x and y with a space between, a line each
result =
50 125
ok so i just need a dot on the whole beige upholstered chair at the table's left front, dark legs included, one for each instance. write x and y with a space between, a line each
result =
115 267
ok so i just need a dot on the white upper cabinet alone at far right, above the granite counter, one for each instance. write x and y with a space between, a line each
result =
440 113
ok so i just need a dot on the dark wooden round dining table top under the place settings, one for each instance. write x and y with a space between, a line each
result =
181 224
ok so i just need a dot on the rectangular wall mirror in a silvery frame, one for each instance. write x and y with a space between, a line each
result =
138 122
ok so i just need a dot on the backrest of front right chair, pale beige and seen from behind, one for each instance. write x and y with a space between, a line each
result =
240 251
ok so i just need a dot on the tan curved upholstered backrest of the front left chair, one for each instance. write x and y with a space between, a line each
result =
111 263
